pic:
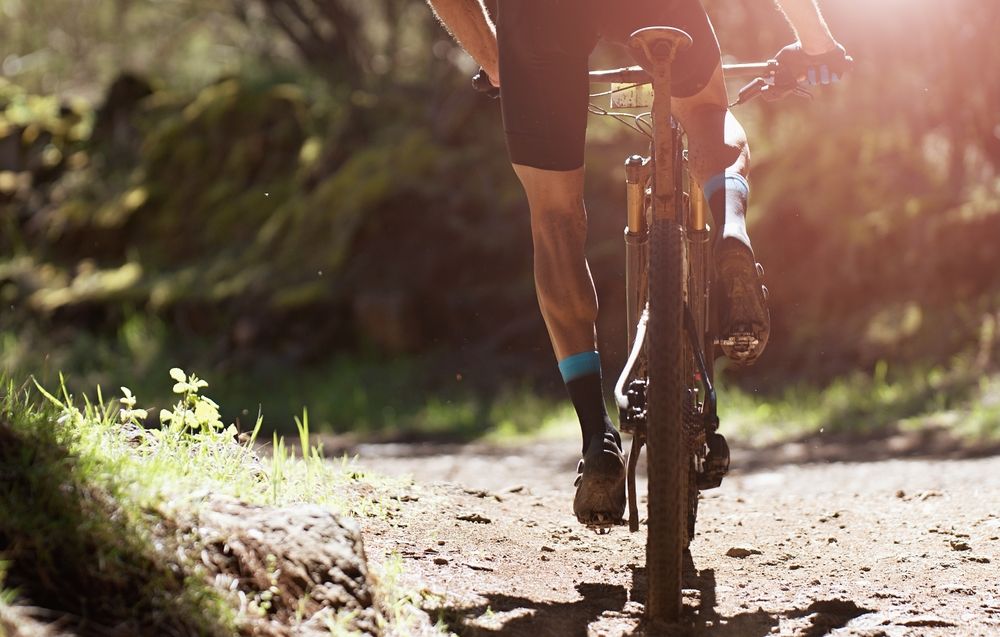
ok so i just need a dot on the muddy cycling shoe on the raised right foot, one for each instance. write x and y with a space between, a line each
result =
744 320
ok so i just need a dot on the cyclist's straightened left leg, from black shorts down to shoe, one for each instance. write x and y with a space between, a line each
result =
544 48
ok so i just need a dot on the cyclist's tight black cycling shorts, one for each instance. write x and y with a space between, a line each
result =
544 51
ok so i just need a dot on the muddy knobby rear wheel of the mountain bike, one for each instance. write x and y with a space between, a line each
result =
669 460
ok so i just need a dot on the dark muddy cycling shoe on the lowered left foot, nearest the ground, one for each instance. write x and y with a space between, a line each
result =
600 487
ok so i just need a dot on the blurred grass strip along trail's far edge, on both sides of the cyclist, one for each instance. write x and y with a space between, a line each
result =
407 397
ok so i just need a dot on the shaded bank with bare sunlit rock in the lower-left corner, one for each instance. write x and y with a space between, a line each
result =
85 559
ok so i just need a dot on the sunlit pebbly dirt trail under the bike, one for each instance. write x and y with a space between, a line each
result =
787 546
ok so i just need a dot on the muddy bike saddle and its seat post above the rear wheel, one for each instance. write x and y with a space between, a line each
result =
655 49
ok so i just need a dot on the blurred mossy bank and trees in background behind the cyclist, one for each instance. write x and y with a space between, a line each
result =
266 209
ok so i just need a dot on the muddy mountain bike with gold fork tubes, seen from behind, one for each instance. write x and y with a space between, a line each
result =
665 393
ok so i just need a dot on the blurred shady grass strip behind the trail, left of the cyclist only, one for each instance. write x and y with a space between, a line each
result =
358 393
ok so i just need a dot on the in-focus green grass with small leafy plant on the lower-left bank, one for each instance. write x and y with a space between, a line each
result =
85 519
